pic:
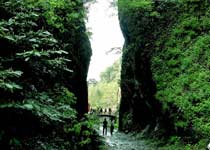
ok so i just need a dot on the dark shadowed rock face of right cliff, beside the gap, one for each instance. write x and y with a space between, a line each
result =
141 26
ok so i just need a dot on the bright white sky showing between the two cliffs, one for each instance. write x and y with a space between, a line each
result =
106 34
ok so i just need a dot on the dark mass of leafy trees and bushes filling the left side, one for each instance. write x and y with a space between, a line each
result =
40 51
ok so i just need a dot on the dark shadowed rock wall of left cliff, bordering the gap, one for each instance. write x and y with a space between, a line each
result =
76 43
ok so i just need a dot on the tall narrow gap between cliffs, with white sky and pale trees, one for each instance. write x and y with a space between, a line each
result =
106 41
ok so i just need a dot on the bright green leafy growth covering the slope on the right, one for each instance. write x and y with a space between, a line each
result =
187 63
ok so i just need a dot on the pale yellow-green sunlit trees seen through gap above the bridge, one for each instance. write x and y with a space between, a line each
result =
105 93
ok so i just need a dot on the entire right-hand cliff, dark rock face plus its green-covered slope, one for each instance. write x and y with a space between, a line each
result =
165 67
